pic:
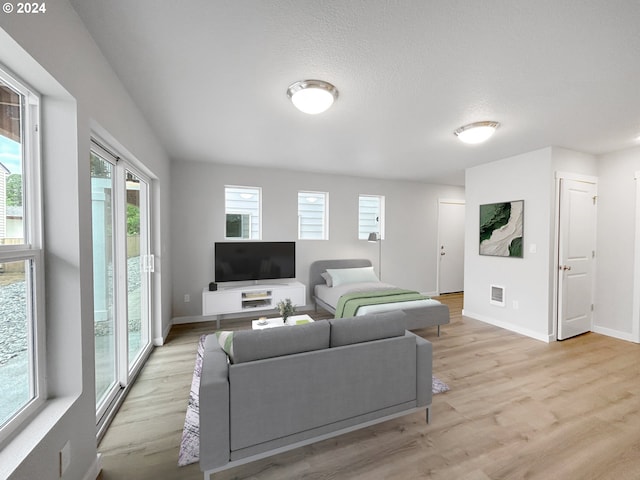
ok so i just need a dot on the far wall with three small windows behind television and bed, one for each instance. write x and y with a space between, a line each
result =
409 250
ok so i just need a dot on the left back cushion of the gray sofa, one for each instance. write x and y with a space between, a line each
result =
250 345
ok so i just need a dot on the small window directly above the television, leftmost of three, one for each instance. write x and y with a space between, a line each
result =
242 212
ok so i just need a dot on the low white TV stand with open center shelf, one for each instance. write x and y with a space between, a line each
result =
249 298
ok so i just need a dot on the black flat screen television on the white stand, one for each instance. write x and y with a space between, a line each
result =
242 261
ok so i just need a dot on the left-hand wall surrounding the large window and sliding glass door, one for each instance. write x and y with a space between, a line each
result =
55 54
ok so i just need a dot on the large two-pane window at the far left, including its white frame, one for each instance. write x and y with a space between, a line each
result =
21 260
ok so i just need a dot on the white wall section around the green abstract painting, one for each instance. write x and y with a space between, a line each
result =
526 280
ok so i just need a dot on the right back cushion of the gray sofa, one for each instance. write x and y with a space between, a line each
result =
365 328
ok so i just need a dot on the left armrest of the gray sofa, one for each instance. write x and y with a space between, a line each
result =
215 447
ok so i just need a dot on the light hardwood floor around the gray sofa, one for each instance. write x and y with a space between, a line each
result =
518 408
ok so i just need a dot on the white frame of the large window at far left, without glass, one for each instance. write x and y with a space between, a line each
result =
31 251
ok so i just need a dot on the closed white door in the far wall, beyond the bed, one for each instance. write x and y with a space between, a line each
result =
450 246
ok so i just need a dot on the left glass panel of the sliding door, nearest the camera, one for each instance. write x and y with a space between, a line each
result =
102 202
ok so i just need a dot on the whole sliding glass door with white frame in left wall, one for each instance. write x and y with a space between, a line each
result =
122 265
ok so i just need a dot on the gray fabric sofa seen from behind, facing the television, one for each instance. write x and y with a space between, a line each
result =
291 386
